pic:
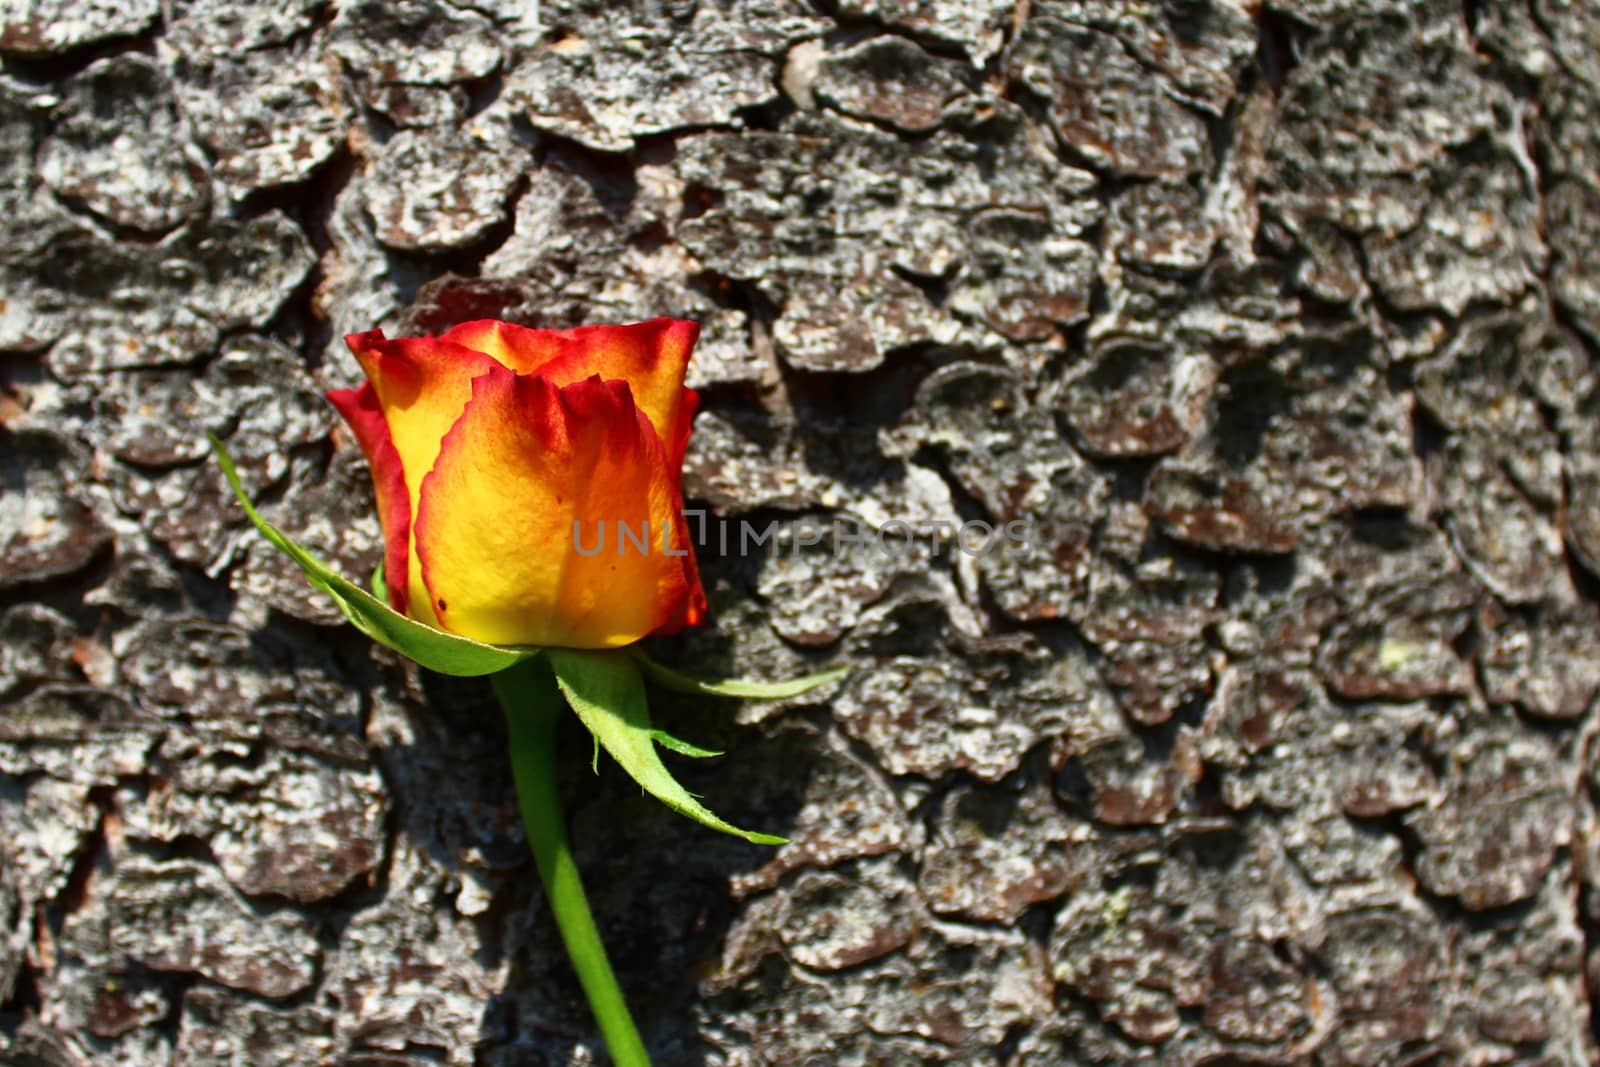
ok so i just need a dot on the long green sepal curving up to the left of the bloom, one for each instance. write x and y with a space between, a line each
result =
436 650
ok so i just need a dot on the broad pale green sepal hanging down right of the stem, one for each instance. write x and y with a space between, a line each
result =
609 695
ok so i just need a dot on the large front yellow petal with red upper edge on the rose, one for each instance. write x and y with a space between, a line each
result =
495 527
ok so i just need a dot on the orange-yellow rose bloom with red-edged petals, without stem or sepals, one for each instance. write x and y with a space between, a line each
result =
503 457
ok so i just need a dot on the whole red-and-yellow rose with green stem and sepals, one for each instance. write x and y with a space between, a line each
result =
492 447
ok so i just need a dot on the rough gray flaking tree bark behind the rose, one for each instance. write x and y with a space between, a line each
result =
1279 321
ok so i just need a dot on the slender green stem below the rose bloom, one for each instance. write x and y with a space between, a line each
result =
534 709
